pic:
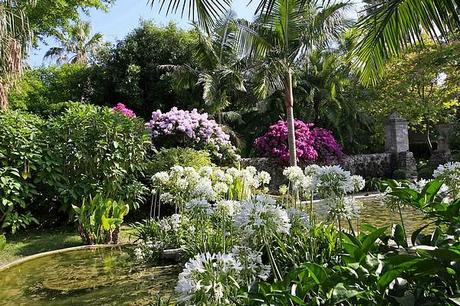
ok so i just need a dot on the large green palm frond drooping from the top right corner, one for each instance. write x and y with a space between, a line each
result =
394 25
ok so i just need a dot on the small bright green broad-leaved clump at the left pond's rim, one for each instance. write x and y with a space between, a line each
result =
99 219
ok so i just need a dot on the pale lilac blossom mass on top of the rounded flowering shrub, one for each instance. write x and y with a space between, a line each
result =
191 124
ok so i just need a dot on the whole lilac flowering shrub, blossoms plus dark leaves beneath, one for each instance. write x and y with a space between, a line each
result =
181 128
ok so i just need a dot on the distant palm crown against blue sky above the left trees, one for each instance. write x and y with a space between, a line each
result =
76 44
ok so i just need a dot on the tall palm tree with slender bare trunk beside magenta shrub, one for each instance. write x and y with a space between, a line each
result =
280 42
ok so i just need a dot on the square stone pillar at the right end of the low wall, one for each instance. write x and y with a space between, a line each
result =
397 143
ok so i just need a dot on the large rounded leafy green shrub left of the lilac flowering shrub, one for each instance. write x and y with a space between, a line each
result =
94 150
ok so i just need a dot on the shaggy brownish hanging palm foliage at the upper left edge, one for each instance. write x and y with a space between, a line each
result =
15 38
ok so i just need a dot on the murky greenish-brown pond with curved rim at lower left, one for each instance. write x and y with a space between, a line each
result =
106 276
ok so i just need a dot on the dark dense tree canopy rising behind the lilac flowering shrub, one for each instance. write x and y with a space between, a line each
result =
134 72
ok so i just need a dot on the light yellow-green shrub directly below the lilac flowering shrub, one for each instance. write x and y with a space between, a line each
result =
186 157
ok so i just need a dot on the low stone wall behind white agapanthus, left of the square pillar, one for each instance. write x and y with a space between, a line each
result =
366 165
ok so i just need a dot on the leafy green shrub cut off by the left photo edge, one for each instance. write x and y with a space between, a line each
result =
21 157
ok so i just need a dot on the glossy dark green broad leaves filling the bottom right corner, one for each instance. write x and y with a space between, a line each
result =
370 270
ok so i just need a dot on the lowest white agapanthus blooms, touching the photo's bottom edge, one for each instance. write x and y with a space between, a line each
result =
215 279
